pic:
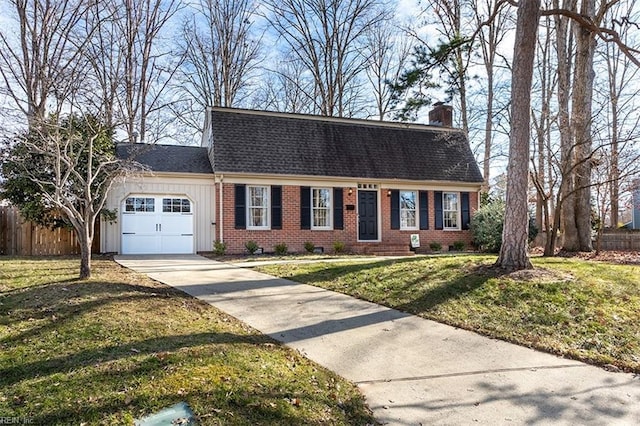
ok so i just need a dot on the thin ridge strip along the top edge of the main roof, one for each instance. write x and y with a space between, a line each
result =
340 120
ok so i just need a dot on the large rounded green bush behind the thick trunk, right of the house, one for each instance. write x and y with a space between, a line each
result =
486 226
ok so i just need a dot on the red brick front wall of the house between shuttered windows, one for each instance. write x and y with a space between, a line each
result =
294 237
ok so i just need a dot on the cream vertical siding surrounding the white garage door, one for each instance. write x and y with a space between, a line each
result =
199 188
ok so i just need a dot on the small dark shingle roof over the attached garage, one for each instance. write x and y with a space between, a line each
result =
167 158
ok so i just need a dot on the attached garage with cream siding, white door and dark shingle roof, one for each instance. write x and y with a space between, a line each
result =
167 209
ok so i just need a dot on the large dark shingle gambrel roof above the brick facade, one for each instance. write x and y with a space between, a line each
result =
277 143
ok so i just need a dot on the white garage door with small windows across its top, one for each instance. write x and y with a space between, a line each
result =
157 224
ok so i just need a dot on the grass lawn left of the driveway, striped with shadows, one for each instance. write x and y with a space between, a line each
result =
120 346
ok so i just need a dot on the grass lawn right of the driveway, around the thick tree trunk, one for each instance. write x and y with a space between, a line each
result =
579 309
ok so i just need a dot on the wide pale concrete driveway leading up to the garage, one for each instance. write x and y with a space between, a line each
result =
412 371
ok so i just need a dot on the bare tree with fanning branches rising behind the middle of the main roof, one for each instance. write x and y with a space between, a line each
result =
326 36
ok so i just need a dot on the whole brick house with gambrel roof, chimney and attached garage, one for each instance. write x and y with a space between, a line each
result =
288 178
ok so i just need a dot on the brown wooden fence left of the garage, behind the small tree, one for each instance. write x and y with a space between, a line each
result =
24 238
